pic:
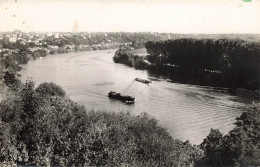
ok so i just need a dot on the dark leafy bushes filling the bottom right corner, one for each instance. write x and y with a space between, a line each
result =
240 147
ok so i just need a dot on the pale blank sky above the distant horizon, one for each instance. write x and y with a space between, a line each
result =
170 16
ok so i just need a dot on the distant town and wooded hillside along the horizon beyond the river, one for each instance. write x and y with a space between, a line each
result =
62 42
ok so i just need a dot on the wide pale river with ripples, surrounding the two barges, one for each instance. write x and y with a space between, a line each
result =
188 112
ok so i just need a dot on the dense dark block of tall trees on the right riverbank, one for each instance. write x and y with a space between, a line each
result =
232 63
